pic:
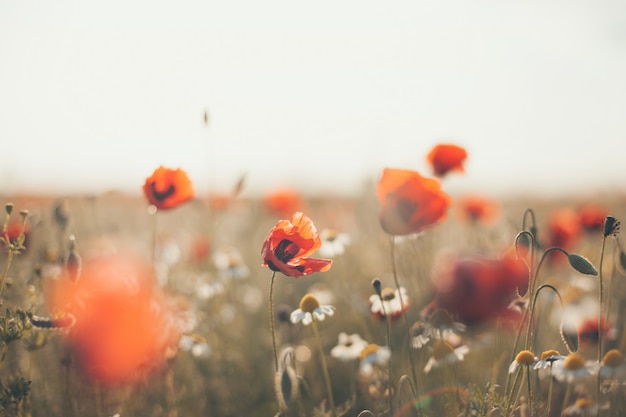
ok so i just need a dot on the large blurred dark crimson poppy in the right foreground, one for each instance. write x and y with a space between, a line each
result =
479 289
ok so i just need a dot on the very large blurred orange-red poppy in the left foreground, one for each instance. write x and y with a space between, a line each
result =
123 325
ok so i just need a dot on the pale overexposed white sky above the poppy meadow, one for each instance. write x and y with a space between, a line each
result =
315 95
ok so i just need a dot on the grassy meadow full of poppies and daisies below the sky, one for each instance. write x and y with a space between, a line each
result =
112 307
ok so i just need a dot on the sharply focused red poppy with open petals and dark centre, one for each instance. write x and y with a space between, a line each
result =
287 245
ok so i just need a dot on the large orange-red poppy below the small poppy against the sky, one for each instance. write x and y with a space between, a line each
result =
409 202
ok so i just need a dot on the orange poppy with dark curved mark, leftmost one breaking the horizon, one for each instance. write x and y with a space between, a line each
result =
168 188
